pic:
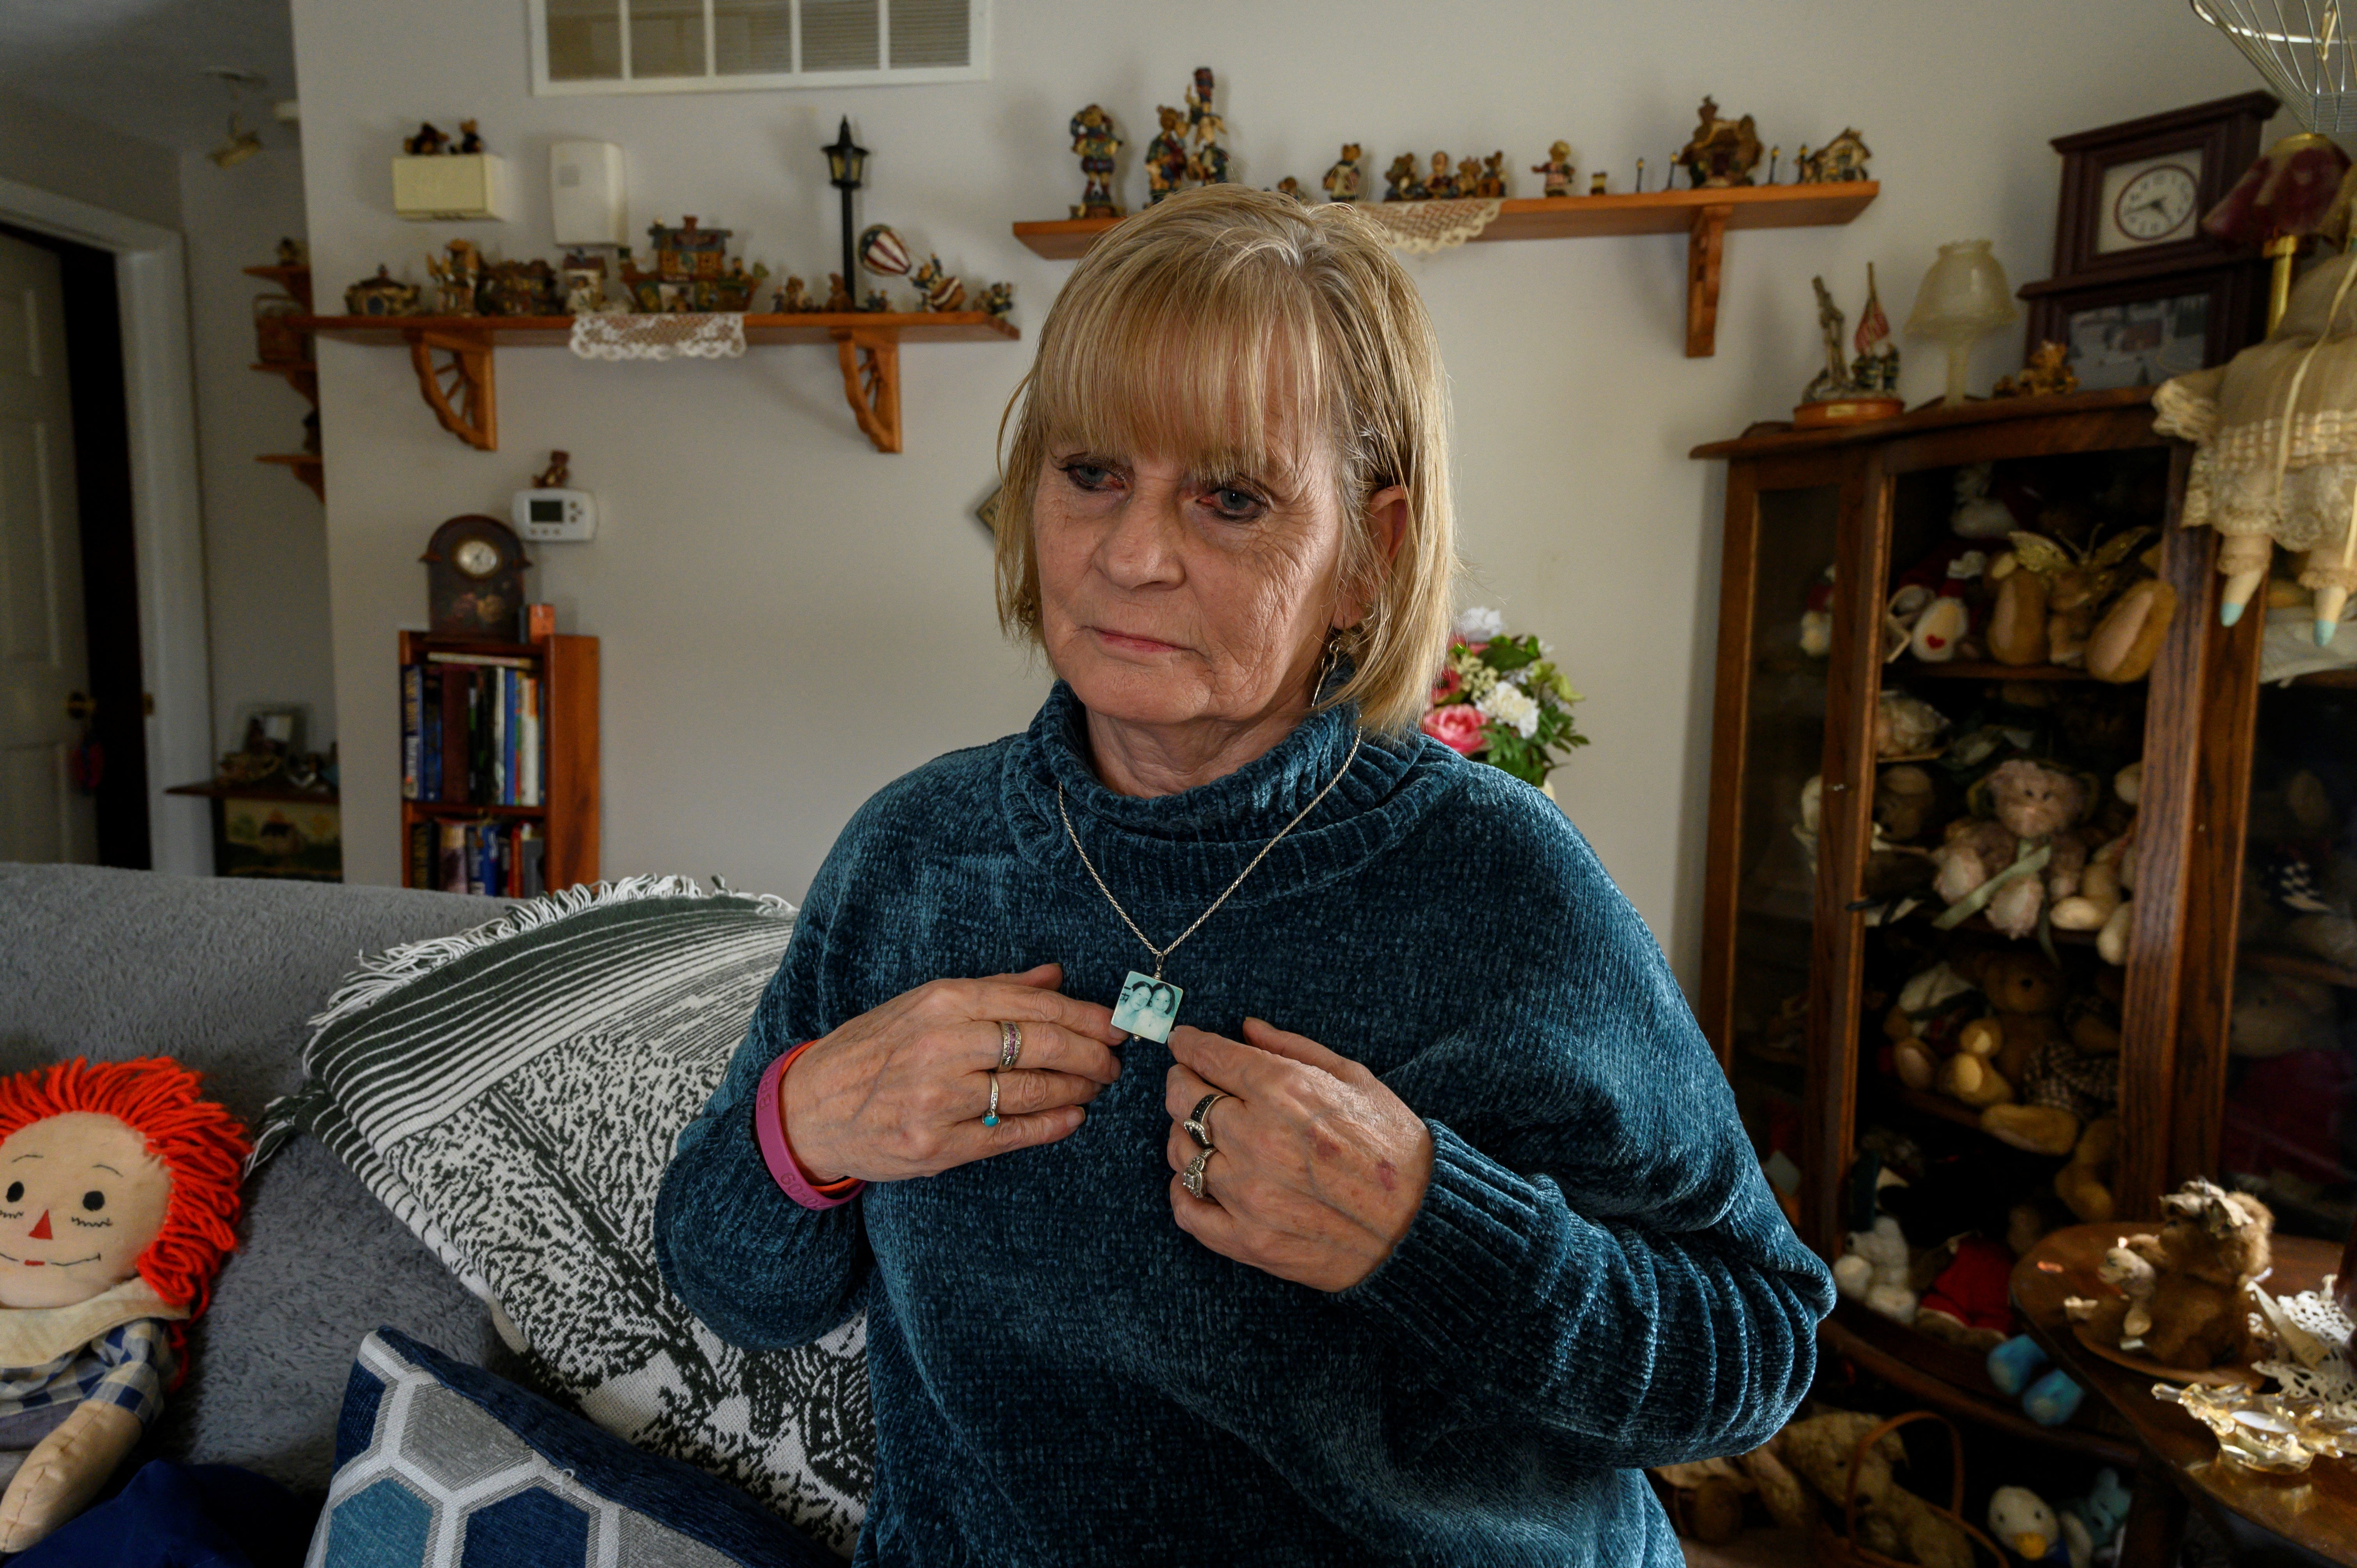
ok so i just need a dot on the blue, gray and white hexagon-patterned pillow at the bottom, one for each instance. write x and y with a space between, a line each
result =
442 1463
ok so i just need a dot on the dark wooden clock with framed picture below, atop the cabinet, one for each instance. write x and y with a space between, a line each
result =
2139 291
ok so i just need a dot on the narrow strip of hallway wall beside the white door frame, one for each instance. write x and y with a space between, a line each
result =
265 536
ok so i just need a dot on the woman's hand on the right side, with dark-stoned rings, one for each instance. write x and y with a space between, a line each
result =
1319 1171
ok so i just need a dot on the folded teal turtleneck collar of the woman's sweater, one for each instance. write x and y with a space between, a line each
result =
1182 850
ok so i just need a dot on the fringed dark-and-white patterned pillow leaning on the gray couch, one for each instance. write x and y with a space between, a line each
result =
513 1098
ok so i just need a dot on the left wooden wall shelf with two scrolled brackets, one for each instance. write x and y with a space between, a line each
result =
454 357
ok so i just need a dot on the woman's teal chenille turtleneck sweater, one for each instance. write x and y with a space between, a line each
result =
1597 1282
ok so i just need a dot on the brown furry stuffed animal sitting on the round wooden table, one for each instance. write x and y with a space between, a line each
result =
2181 1291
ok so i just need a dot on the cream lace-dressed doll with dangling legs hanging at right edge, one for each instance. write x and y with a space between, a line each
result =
2278 447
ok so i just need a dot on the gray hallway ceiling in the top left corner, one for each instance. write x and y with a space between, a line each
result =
140 65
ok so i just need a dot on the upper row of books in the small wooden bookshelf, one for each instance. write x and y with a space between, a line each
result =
470 730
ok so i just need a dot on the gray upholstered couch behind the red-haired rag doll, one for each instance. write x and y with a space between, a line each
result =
223 977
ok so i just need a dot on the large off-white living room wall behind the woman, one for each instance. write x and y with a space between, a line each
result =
791 619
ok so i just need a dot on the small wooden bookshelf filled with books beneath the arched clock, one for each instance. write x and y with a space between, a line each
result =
499 739
